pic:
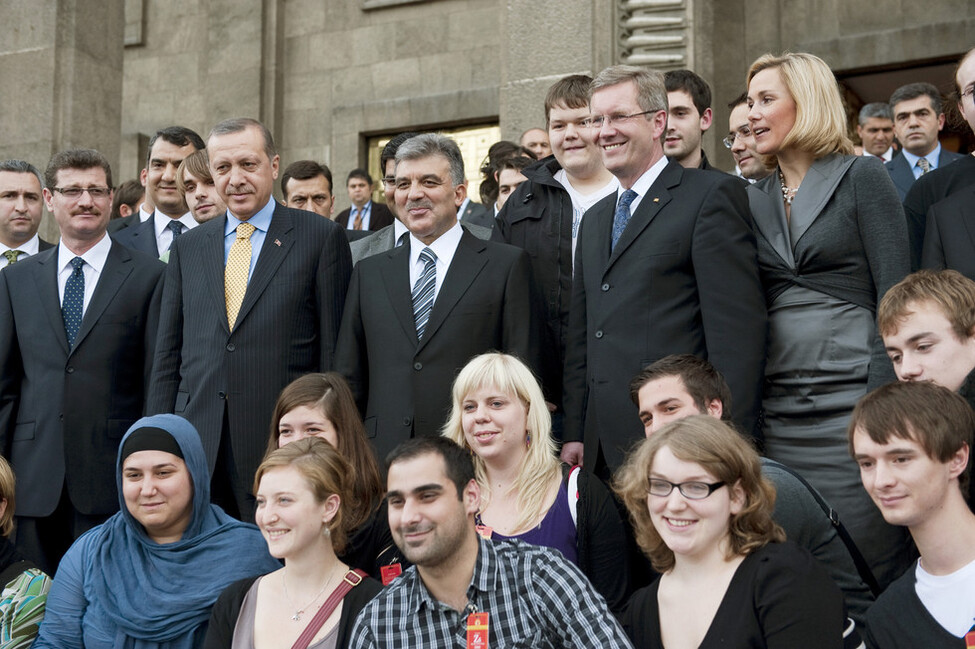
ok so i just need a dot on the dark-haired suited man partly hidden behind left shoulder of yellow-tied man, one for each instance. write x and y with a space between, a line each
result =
171 218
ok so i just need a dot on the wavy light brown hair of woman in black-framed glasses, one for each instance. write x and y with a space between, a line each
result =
722 452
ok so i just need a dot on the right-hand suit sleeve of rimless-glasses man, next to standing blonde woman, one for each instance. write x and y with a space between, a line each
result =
732 300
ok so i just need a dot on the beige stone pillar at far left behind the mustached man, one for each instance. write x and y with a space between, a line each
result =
61 71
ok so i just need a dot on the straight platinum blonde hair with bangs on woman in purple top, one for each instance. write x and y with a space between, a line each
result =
541 466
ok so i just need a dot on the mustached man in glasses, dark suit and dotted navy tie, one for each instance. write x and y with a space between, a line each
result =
77 326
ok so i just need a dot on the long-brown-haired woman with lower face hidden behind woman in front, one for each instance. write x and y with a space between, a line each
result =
321 405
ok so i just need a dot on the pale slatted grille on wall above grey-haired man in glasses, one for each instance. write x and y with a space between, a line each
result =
654 33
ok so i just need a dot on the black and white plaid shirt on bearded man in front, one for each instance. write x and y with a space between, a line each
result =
533 597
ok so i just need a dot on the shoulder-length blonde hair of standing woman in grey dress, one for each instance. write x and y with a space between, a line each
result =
820 127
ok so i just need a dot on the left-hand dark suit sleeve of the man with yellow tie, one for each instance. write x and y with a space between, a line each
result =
164 382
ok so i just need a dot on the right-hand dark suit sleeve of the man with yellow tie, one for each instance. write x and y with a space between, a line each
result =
334 269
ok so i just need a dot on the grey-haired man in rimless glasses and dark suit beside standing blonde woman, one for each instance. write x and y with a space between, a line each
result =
668 266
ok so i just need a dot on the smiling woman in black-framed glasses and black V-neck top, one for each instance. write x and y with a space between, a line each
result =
702 513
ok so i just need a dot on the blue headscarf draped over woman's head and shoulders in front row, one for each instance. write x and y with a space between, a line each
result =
159 595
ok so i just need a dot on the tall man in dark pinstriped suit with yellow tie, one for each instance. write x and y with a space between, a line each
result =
253 300
